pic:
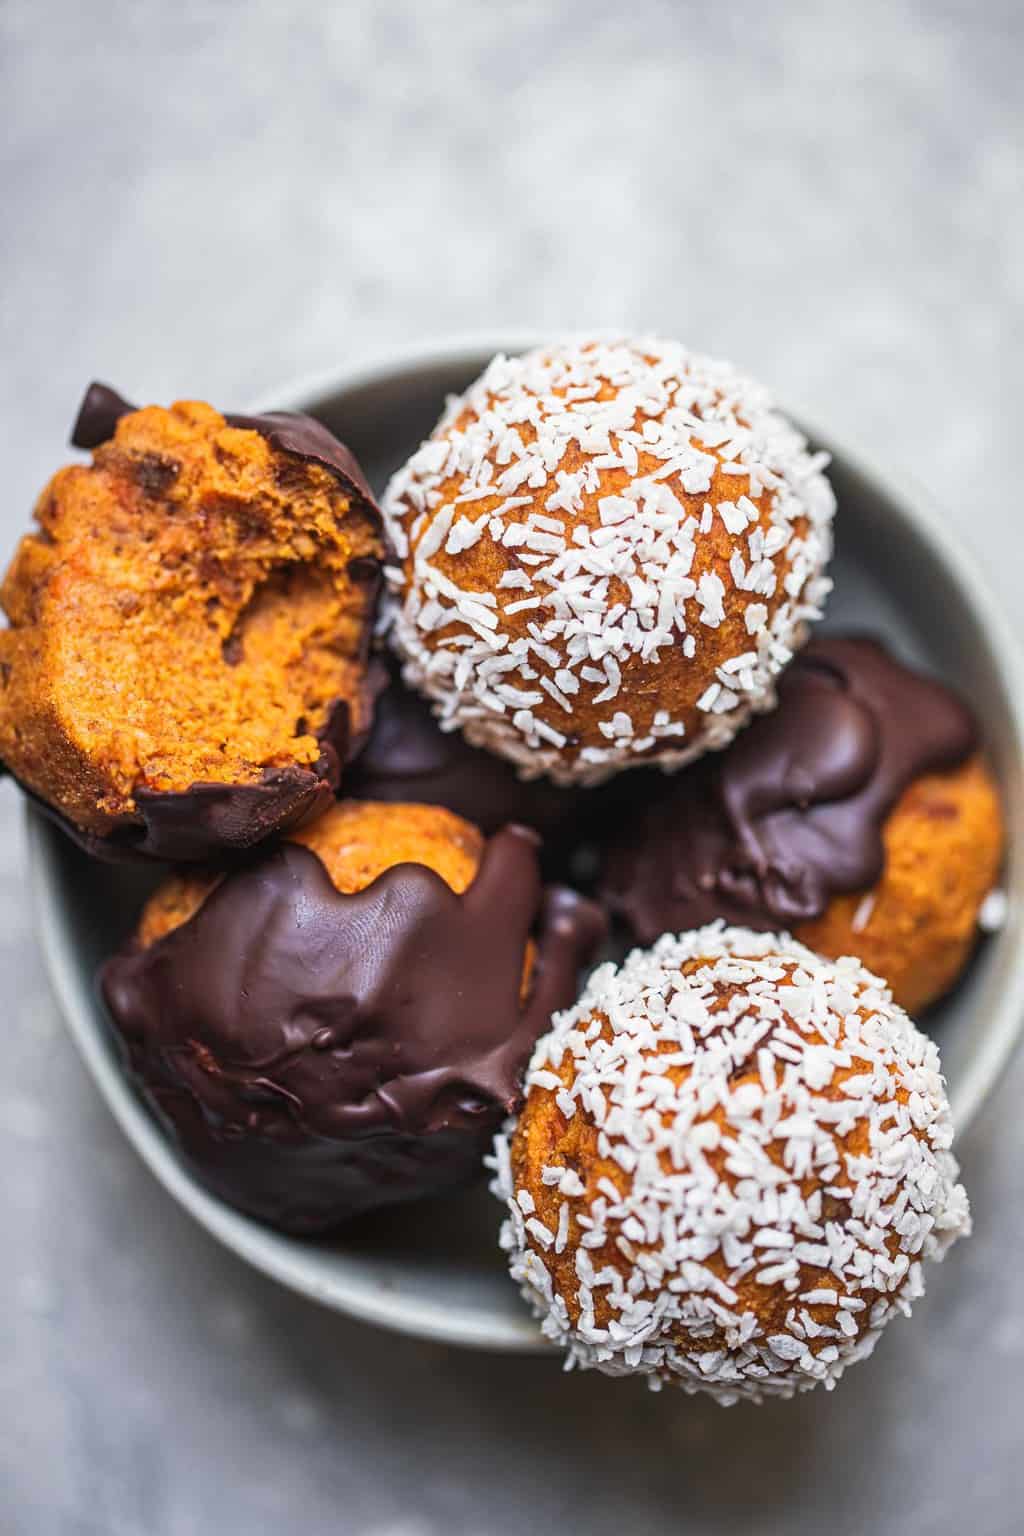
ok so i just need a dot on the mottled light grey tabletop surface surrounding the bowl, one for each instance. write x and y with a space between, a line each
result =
211 199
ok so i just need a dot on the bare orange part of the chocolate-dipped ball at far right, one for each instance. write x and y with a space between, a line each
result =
919 925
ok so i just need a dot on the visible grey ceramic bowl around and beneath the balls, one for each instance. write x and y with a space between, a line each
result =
437 1270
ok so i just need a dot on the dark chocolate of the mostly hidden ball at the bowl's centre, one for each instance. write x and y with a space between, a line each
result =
409 758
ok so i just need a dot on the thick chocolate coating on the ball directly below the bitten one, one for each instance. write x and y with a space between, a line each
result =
319 1054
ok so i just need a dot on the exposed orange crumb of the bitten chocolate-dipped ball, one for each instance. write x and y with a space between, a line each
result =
185 614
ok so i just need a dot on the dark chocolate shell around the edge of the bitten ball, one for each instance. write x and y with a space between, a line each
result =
226 821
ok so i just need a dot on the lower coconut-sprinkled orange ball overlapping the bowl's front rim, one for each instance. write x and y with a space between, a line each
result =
733 1160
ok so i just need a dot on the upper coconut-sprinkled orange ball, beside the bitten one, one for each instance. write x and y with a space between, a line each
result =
604 555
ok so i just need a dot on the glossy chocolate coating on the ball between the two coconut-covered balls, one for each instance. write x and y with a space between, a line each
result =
791 815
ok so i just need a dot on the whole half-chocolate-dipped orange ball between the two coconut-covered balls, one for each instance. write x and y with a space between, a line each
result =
859 815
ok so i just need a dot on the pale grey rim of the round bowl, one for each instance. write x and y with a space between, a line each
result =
283 1260
